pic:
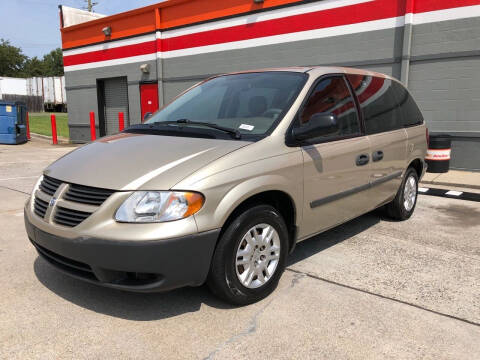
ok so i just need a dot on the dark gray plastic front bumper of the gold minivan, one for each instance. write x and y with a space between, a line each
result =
142 266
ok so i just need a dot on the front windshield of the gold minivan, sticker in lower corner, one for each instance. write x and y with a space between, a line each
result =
251 103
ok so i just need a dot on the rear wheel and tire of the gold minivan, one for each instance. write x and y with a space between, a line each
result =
400 208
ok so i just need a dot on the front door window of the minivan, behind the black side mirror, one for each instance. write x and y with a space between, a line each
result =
332 96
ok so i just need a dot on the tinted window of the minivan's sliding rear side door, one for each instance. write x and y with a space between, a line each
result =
378 103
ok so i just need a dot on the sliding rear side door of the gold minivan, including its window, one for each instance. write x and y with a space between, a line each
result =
384 128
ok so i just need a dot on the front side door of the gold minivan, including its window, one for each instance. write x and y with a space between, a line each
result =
336 164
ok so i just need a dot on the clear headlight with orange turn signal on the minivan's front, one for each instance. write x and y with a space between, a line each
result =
159 206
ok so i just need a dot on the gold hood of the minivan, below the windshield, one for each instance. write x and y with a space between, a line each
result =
138 161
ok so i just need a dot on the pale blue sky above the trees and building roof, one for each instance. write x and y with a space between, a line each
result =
33 25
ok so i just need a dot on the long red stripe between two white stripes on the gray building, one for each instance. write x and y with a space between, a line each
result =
352 14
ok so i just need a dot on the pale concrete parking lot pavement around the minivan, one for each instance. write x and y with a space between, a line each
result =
368 289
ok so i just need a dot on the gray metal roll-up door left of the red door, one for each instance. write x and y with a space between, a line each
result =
116 100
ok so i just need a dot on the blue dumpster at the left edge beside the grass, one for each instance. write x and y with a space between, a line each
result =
13 122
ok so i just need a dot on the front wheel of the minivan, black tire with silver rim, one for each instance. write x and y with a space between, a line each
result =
225 275
